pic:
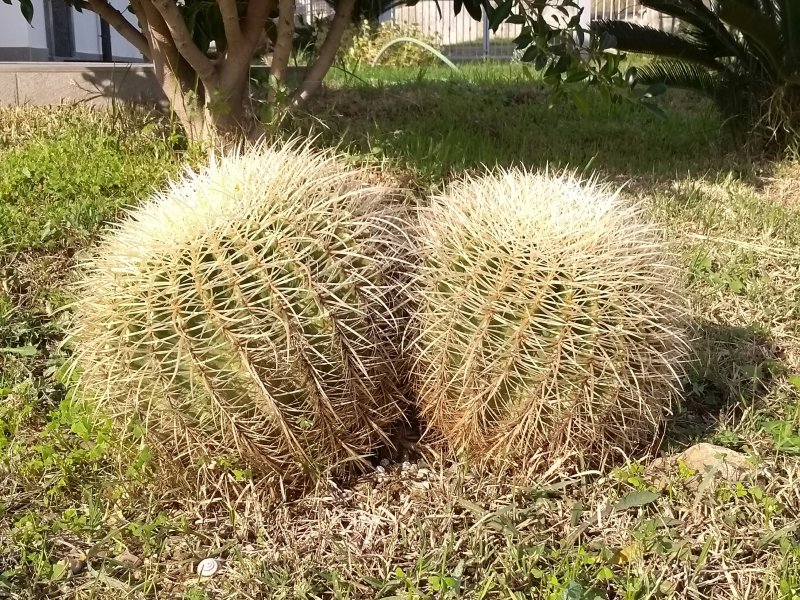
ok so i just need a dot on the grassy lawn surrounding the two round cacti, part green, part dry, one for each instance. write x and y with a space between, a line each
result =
78 521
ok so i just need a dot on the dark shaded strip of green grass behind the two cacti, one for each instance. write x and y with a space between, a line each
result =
438 128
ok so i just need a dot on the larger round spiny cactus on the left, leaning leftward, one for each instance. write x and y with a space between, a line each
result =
240 316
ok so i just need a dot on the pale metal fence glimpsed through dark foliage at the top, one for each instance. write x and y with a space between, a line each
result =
463 38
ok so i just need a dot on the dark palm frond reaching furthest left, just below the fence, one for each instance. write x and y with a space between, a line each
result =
631 37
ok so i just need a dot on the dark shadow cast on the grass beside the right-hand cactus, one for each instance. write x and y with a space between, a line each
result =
733 373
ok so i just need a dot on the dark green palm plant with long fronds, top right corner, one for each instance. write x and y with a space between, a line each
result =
743 55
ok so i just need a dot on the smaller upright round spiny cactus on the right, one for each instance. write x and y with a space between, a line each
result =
546 320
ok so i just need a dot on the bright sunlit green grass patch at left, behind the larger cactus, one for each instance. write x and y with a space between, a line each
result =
65 172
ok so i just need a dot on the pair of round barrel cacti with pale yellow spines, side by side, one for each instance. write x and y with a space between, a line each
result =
273 311
